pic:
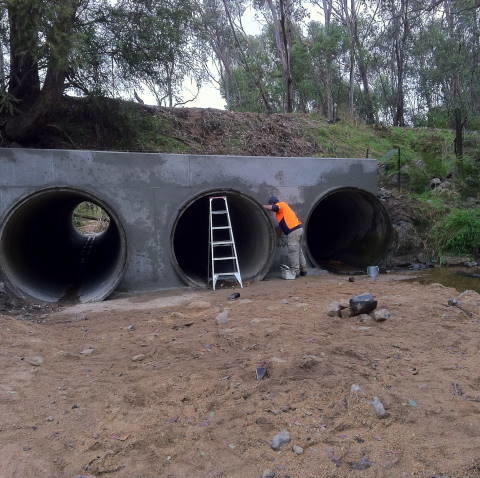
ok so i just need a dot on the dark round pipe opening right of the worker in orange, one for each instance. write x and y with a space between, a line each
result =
348 227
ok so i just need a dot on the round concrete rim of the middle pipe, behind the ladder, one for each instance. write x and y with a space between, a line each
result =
186 204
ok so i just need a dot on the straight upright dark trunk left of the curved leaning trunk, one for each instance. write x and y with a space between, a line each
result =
24 83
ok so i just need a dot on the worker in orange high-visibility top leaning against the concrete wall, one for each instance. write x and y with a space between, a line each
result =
292 227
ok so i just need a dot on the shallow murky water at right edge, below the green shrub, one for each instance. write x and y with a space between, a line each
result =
450 277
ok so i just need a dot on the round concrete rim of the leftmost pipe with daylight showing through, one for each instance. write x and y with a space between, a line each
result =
5 271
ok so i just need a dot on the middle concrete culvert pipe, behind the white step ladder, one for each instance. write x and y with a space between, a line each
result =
253 232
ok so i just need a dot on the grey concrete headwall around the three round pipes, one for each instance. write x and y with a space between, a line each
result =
146 191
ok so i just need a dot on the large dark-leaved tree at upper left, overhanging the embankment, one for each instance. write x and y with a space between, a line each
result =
92 46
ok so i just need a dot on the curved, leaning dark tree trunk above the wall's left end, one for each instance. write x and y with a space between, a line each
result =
25 125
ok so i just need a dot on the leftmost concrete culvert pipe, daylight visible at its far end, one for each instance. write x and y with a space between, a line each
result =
44 255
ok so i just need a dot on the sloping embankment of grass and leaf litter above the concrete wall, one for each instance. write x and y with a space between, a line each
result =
452 211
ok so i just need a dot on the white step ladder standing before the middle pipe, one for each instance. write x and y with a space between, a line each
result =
221 237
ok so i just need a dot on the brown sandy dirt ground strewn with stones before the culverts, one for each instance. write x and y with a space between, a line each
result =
190 404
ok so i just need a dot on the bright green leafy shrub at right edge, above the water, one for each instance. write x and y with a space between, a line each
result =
458 233
